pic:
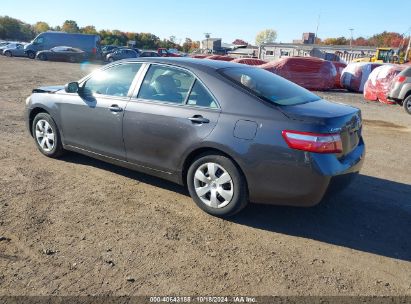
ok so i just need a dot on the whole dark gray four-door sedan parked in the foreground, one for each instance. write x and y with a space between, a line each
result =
230 133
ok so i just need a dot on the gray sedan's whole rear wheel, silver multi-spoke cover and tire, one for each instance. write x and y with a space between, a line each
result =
217 185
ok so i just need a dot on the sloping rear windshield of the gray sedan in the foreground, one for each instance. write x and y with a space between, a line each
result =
268 86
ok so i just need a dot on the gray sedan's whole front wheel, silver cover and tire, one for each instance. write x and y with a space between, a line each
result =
47 136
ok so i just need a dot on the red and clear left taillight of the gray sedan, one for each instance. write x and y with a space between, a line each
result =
313 142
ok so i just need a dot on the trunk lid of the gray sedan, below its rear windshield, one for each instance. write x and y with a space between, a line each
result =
329 117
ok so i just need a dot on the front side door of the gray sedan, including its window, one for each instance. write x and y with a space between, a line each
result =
92 120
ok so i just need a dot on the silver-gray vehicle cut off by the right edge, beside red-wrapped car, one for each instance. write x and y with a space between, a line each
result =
400 90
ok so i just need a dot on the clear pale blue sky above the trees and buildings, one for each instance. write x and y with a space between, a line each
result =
226 19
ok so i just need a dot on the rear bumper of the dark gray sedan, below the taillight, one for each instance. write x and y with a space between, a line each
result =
308 180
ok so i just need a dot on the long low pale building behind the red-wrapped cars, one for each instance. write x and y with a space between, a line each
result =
275 51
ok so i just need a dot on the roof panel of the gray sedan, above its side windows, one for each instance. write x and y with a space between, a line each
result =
188 62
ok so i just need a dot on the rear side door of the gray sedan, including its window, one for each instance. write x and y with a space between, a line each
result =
172 112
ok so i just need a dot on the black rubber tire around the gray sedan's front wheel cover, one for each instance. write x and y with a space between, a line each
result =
57 148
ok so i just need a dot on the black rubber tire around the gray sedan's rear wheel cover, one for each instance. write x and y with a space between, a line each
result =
239 186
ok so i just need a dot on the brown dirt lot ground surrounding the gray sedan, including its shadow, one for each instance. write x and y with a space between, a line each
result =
80 226
